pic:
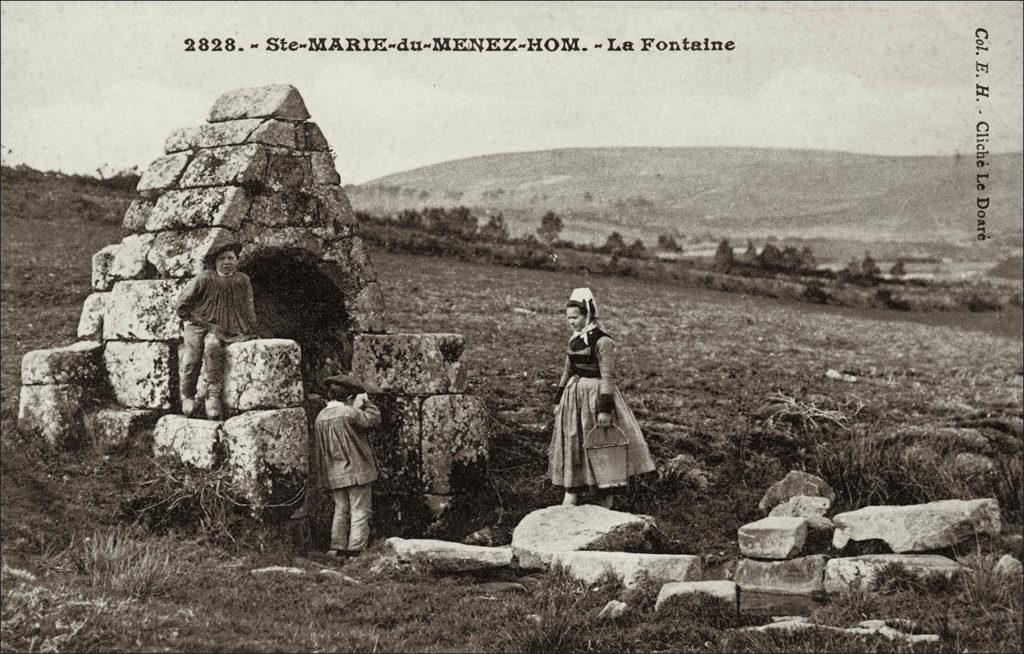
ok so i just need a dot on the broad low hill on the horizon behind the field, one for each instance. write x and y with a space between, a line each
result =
736 192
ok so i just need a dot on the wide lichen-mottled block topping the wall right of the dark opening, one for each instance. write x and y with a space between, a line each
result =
410 364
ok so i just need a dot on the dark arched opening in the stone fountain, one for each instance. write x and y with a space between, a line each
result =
294 299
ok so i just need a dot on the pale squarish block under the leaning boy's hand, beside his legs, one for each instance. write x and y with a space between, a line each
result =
263 374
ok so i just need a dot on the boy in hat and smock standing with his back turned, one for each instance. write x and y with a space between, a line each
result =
348 462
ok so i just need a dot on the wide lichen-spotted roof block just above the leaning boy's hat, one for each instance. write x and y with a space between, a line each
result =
212 207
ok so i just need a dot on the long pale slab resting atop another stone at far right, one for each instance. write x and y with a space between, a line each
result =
919 528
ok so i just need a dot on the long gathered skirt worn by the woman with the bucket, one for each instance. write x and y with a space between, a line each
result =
577 415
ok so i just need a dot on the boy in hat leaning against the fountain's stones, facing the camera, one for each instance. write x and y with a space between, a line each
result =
218 309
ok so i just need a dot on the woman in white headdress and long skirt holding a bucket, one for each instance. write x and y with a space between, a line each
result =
588 399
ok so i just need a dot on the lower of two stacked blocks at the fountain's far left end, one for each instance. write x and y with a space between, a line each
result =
54 413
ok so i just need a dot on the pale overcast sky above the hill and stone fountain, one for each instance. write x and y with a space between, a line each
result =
88 84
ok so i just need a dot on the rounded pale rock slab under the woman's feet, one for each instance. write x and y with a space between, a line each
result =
547 532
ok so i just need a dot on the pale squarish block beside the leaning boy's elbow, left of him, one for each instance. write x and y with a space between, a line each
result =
143 311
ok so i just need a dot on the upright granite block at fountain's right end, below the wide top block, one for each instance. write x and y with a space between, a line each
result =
454 441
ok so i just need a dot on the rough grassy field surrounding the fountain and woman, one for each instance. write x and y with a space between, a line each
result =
727 386
